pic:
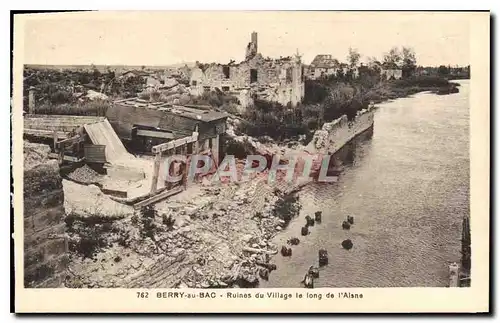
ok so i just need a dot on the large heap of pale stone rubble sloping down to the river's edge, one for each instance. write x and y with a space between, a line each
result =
220 237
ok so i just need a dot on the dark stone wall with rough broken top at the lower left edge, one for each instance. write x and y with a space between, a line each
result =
45 246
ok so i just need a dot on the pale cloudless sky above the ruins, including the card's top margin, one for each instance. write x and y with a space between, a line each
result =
164 38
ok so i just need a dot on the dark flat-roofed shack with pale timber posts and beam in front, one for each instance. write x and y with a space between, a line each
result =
165 129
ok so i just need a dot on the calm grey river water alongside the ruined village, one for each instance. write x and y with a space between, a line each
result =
407 186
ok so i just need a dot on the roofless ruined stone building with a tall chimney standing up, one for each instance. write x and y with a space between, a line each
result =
279 80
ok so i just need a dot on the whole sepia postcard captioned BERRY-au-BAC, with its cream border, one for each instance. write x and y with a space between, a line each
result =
260 161
